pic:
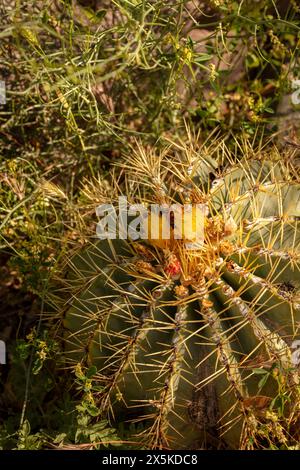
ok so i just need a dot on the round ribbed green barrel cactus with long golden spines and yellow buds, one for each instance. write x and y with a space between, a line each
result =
197 344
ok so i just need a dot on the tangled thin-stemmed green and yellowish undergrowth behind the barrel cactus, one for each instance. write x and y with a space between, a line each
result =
83 80
